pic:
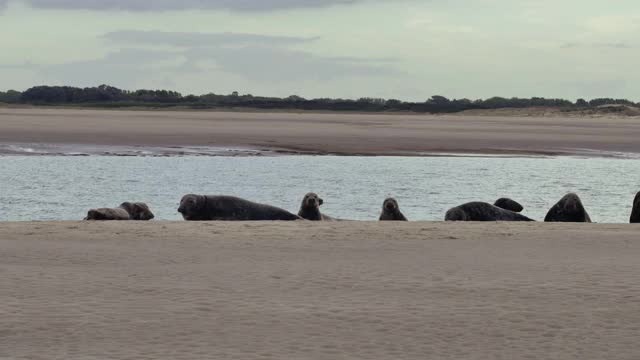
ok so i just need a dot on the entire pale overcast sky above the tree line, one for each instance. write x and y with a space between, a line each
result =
402 49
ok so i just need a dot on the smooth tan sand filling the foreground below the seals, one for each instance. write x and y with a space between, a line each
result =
319 291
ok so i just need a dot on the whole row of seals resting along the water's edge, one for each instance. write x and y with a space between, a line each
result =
230 208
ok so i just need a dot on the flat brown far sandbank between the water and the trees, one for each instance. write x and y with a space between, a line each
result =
367 134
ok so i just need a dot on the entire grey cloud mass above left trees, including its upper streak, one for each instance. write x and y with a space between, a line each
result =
258 59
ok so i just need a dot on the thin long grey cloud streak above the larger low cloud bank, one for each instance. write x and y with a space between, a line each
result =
184 39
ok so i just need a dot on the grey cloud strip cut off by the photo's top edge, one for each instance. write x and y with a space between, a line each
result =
164 5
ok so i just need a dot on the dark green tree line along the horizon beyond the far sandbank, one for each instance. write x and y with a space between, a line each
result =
110 97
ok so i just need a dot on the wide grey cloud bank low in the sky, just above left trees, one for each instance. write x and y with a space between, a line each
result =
133 68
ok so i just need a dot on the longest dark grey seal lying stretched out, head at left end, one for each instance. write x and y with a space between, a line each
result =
229 208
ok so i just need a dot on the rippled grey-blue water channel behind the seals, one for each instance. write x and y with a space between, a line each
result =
64 188
